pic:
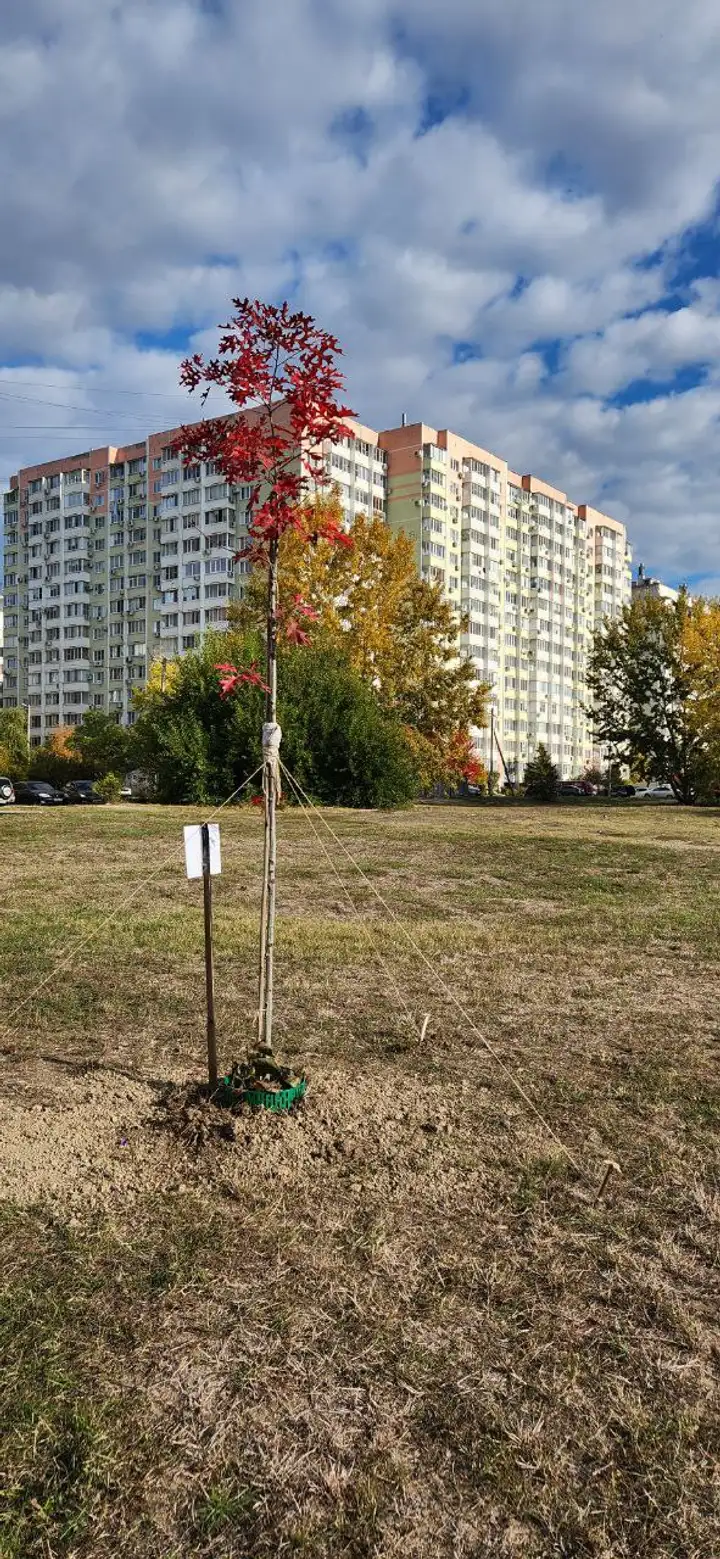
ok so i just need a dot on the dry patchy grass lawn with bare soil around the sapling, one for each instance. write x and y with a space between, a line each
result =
395 1324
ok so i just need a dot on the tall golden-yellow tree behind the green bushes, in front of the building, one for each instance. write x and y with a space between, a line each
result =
395 629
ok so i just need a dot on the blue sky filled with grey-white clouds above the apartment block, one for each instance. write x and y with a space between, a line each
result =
506 210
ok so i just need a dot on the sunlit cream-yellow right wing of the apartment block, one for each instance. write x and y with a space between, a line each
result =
531 571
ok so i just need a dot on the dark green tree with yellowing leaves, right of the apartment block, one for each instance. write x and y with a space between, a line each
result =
643 679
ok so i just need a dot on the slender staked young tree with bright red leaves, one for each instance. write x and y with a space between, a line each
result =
280 372
